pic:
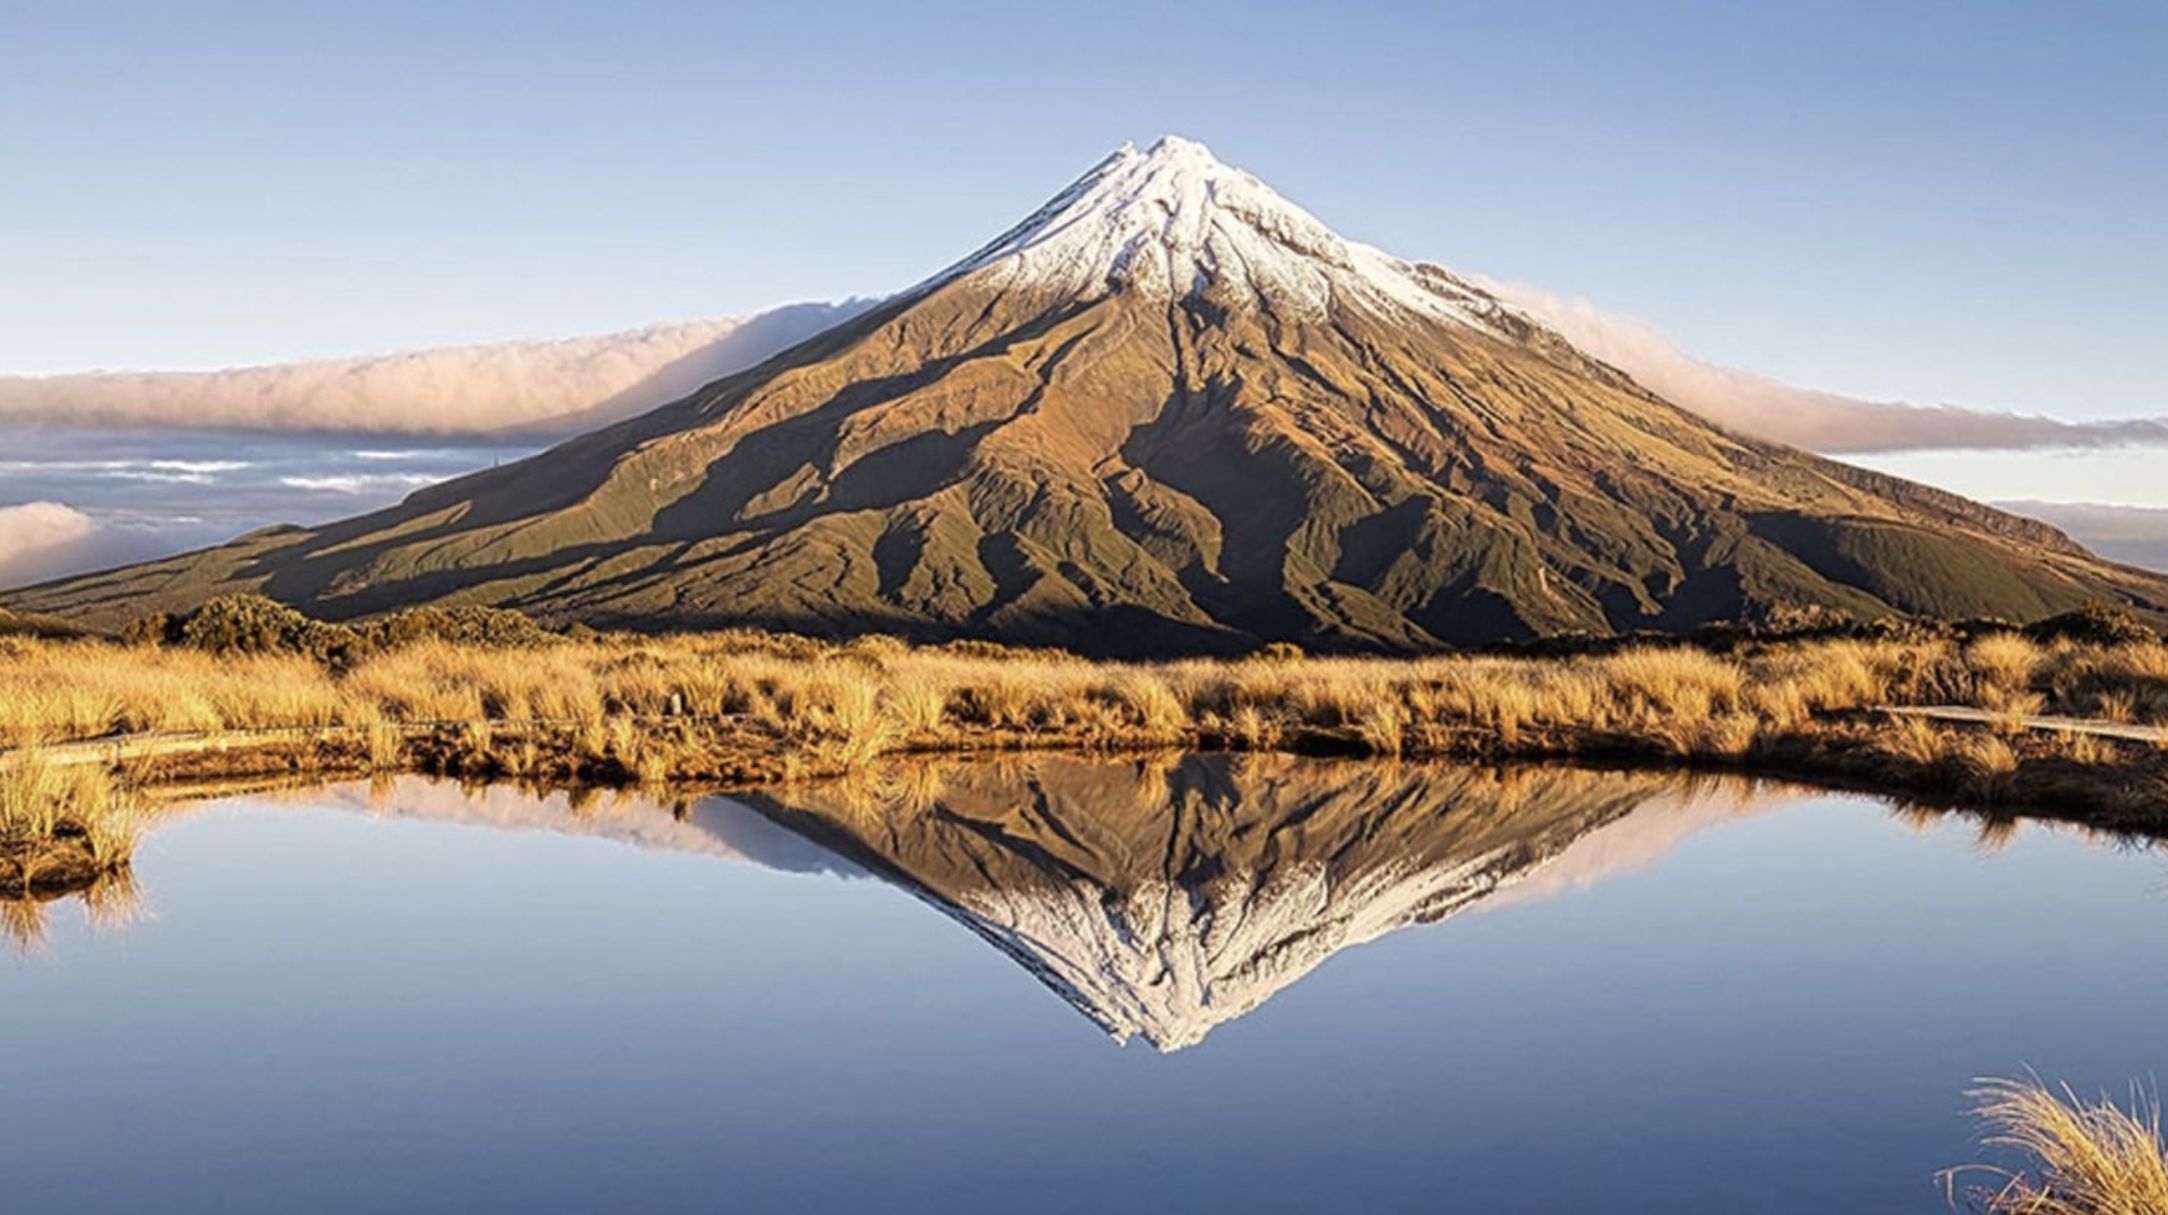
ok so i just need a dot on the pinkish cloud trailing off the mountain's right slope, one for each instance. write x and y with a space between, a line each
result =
1820 422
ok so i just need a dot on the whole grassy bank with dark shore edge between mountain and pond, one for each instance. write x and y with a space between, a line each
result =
743 706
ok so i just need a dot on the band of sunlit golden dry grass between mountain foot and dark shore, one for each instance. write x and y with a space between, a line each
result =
75 691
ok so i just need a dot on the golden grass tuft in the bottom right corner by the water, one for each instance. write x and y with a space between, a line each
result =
2085 1158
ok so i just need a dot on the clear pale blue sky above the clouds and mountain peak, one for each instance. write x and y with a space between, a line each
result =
1922 201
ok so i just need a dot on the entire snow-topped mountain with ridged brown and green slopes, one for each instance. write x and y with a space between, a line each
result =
1165 413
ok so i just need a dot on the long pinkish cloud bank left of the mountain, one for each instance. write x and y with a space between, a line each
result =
537 387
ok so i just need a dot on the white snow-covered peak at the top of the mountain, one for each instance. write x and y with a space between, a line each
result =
1174 222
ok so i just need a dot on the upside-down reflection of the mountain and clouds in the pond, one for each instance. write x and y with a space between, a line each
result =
1159 897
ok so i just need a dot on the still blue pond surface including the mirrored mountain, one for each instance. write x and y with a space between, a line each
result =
1066 986
